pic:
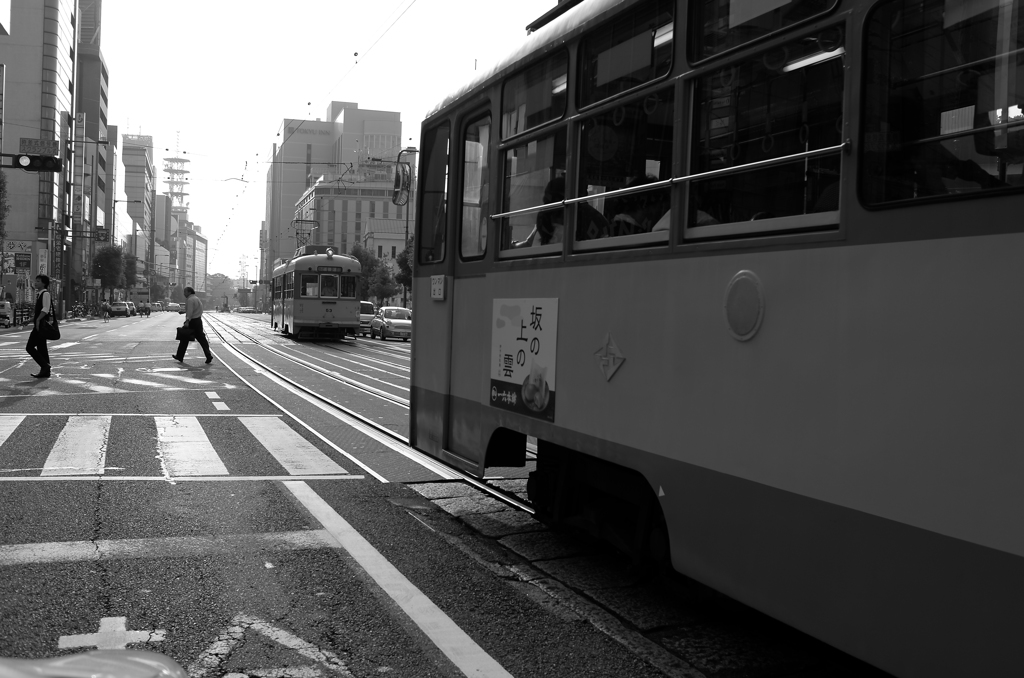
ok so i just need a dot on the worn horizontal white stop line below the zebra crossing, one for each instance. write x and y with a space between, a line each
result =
109 549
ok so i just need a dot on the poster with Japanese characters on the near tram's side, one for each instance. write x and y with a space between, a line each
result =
524 340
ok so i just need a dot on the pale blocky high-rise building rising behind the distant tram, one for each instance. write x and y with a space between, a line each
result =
328 179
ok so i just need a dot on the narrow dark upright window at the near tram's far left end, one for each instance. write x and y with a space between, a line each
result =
434 204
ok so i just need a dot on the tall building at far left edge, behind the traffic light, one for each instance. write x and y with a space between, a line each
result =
39 59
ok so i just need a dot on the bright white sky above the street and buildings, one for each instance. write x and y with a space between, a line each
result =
216 78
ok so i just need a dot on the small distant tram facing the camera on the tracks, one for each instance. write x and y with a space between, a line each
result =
316 294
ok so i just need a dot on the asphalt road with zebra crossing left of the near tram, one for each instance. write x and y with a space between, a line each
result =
162 506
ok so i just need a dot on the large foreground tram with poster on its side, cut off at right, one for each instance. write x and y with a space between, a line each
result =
749 272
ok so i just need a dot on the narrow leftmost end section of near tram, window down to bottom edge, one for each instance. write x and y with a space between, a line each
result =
433 302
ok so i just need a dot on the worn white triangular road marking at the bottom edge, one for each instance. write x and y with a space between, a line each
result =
219 653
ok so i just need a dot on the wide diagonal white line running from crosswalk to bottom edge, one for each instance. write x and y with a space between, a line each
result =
446 634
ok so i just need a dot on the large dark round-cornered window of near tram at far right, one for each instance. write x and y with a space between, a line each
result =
944 100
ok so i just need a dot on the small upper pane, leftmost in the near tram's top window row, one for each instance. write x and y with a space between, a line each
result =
535 97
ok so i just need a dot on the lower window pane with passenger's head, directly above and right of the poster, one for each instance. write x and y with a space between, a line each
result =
535 175
